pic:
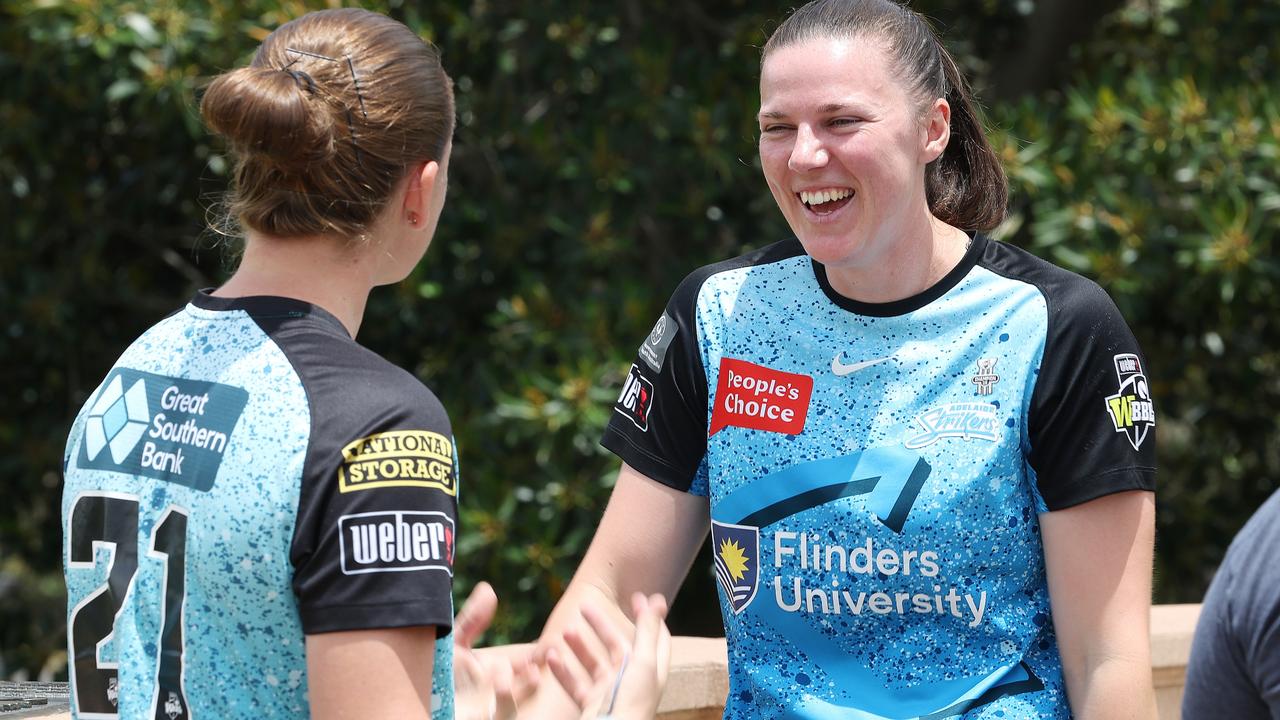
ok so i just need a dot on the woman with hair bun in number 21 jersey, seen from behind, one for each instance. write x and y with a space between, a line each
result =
259 513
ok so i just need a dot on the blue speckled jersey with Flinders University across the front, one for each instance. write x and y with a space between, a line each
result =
876 473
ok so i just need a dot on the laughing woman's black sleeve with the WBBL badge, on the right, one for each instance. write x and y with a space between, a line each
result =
1092 421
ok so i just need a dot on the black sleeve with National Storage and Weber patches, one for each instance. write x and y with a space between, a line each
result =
377 521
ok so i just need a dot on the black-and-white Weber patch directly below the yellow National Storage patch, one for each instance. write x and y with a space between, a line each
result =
396 543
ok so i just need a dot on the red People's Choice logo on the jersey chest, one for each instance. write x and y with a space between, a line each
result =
761 399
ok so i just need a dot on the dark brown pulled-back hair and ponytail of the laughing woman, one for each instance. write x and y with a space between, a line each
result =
966 186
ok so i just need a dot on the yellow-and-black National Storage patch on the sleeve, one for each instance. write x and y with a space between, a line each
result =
399 459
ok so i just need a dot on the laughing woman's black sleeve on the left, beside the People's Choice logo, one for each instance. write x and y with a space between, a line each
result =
660 421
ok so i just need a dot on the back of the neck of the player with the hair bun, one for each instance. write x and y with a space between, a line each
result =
322 271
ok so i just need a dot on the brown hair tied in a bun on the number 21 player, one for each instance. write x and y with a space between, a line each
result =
327 120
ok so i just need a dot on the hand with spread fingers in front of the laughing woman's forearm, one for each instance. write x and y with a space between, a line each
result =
624 678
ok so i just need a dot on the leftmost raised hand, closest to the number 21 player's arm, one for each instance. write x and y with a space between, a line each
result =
487 689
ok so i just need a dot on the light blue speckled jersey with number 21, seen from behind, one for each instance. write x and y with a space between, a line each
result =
208 527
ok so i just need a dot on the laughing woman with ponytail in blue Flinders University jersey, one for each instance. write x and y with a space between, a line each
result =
926 459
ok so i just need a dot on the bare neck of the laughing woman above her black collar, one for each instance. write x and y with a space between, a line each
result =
909 265
